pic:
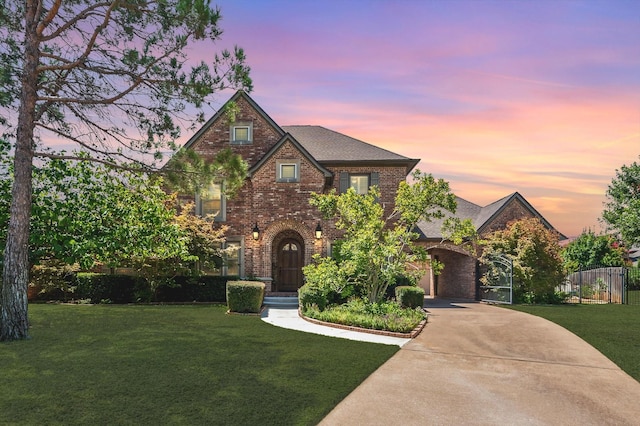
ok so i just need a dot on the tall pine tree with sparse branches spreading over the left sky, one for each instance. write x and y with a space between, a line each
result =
110 77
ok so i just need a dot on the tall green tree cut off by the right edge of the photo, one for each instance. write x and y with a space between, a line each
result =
622 210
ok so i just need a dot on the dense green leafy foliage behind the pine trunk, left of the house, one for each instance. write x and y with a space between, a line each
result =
84 215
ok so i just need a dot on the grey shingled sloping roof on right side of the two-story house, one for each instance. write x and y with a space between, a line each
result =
329 146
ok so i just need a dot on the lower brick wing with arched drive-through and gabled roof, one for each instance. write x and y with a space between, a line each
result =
460 277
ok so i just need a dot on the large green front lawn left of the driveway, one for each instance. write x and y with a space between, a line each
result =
174 365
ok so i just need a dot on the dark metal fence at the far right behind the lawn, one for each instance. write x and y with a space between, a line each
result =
603 285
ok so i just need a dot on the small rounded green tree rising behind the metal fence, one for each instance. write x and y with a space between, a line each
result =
590 250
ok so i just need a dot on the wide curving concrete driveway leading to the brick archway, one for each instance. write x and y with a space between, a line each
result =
478 364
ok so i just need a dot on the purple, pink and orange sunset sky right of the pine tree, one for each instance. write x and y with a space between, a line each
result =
539 97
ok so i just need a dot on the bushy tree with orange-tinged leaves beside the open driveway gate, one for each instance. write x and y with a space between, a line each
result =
535 254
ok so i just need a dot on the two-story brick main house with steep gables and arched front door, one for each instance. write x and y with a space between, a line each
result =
271 223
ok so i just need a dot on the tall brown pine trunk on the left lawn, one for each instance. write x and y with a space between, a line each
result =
14 323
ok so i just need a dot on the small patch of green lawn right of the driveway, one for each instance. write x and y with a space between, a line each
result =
612 329
